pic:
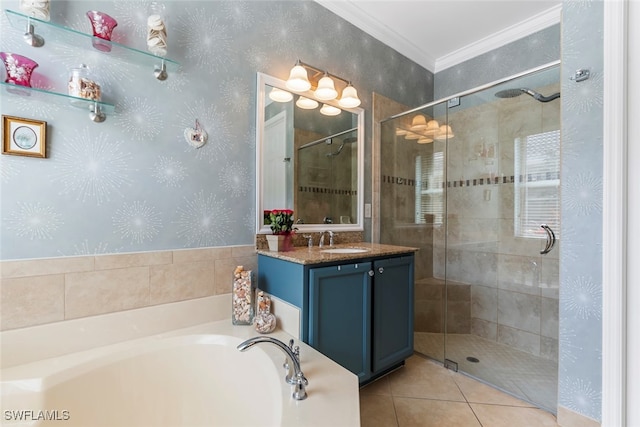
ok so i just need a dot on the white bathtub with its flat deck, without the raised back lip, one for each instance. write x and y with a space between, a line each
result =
189 377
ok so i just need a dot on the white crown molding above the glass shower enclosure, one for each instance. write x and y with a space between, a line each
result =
515 32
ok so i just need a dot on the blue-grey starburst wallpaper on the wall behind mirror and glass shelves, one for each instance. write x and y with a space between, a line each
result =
132 183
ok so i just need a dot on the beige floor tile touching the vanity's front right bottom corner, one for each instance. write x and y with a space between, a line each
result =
425 379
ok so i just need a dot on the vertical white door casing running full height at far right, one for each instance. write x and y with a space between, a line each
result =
614 226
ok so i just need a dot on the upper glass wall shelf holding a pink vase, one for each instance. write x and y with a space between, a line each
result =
59 33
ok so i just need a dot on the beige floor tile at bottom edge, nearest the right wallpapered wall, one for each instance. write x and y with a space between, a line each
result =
509 416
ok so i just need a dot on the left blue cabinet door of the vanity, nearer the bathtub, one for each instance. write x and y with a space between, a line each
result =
340 315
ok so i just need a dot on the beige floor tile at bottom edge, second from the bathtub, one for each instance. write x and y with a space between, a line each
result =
433 413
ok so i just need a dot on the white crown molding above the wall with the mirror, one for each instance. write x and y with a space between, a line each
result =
356 15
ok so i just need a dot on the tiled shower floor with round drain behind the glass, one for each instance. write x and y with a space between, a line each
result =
521 374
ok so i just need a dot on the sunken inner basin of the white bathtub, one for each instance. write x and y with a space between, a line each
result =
192 380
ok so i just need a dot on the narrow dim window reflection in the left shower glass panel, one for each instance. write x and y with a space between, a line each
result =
429 188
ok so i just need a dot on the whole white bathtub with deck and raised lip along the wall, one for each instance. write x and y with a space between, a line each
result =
146 367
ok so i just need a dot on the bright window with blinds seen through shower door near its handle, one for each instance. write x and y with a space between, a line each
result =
537 184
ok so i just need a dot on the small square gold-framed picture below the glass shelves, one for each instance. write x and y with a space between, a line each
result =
24 137
